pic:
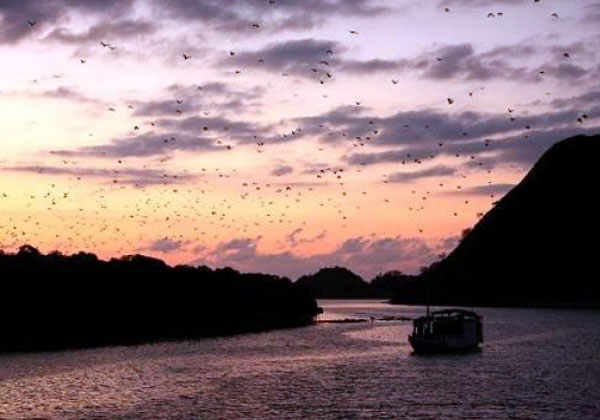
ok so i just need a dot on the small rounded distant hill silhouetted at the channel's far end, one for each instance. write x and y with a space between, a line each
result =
334 283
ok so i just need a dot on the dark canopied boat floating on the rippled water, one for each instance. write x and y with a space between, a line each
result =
447 331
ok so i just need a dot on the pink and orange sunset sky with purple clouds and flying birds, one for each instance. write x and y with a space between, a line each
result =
281 136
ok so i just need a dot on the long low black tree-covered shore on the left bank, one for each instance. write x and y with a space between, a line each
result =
55 301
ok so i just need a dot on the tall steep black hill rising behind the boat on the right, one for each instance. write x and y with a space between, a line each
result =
537 246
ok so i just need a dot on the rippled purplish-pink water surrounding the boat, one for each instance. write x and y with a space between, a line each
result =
535 364
